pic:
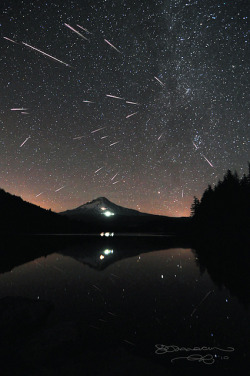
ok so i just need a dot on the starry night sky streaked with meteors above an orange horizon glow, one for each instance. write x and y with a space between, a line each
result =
183 63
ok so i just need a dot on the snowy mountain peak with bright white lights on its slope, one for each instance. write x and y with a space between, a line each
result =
100 207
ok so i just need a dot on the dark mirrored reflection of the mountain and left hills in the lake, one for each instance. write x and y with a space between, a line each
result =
95 251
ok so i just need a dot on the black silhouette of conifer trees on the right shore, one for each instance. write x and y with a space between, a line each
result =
224 208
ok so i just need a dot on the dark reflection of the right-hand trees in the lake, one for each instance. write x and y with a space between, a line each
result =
227 262
